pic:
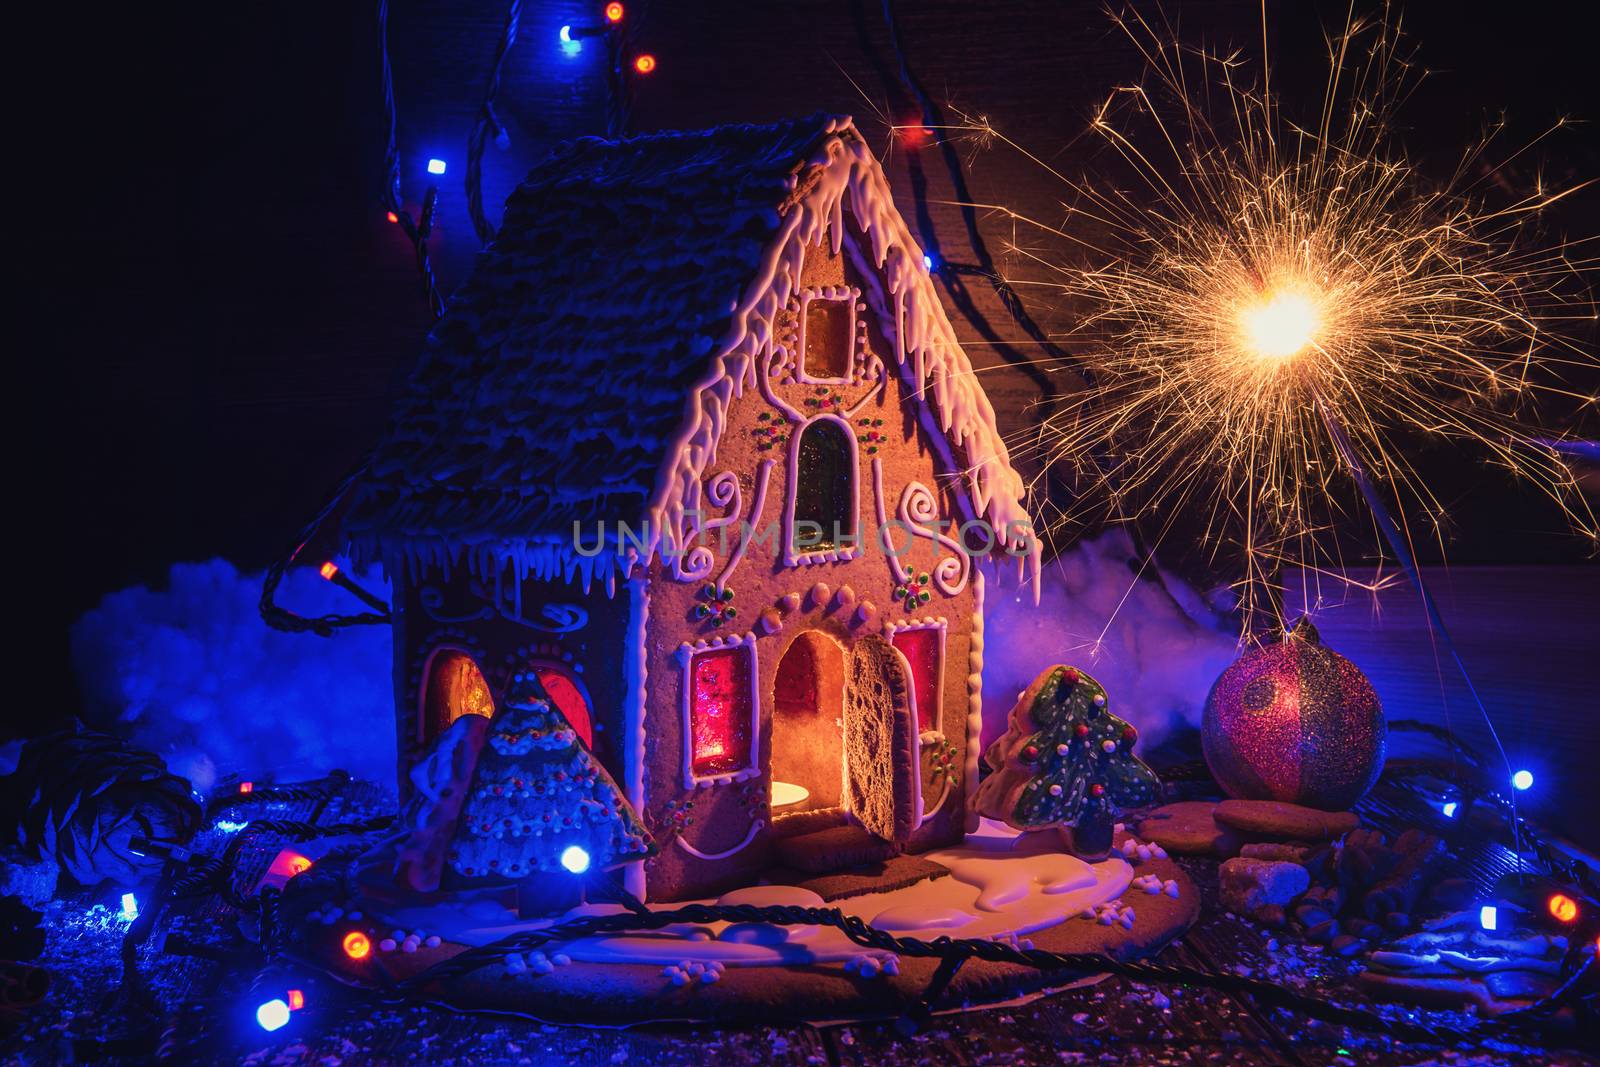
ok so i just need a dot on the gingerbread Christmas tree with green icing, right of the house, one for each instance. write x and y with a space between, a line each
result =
1066 762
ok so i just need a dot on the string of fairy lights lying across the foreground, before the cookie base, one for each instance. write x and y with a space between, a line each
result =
1572 906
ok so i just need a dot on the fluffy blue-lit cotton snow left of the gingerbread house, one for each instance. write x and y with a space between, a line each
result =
191 671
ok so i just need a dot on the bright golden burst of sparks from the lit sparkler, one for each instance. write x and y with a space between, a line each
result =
1281 313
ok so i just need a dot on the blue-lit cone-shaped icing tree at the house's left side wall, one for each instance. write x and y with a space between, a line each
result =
537 794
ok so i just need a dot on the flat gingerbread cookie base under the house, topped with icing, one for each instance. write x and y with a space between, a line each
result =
998 890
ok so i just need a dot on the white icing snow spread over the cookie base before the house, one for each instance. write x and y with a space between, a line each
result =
1001 887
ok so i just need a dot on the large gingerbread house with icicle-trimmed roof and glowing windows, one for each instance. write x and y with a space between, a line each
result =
697 447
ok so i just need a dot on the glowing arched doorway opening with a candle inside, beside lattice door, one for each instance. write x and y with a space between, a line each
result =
809 738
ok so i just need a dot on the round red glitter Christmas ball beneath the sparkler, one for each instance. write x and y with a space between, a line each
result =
1295 722
